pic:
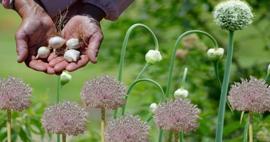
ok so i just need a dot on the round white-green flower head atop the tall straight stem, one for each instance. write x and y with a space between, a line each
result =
233 15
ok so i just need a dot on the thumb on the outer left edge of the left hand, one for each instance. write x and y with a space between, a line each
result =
21 46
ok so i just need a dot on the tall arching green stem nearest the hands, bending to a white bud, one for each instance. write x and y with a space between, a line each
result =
124 49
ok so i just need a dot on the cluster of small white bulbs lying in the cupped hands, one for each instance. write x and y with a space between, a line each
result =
71 52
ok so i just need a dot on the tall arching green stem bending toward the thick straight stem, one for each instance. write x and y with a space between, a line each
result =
172 60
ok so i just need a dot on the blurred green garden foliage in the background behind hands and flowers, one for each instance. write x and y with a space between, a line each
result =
168 19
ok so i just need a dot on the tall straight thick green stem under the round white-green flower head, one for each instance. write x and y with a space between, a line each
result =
224 89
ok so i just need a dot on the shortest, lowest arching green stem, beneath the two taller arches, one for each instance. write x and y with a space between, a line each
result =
139 81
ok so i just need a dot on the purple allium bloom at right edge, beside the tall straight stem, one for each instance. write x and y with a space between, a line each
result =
250 95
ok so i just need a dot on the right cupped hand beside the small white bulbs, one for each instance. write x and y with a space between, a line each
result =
89 32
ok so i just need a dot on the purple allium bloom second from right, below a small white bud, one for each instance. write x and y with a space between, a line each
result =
177 115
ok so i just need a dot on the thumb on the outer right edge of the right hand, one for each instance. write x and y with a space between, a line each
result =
93 47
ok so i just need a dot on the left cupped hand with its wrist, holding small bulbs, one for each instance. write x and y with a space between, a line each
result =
34 31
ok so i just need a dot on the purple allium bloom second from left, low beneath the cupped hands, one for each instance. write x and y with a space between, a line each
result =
65 118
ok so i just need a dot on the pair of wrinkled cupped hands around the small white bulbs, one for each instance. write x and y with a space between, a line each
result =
37 27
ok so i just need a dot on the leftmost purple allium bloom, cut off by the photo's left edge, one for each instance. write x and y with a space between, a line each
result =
15 95
